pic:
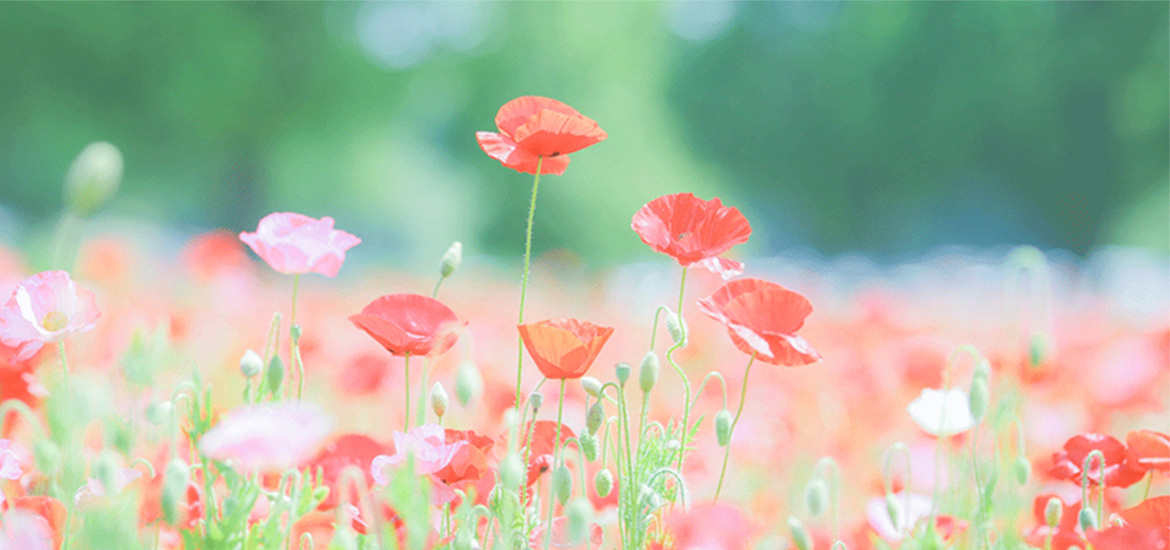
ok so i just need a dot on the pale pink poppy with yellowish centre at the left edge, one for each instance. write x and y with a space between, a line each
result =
45 310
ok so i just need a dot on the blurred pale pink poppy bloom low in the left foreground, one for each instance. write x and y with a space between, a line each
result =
267 438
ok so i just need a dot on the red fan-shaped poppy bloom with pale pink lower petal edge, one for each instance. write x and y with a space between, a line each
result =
693 231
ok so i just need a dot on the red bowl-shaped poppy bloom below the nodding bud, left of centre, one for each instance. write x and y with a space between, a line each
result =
410 324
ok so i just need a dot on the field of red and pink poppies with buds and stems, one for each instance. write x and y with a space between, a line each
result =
252 389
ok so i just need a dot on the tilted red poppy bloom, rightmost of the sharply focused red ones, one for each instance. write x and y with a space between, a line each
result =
762 319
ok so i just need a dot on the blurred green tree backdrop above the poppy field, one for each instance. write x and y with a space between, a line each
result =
886 129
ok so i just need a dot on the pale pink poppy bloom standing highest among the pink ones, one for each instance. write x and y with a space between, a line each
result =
295 244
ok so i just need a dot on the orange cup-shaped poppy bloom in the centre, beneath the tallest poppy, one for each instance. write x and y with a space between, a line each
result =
565 348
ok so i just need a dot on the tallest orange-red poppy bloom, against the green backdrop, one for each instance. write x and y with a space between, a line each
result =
534 127
